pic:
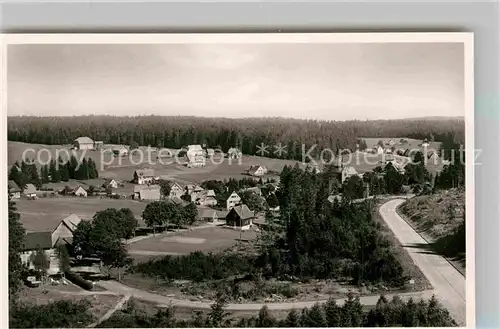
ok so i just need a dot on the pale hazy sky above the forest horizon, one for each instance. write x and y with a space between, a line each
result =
309 81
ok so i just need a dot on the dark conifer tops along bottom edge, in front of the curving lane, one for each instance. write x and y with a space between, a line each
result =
394 313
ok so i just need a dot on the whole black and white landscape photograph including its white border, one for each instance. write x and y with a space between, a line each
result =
239 180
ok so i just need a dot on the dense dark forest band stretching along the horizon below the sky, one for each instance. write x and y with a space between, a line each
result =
247 134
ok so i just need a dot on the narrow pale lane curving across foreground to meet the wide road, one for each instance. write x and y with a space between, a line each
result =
163 300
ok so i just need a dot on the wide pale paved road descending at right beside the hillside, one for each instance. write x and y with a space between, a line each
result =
448 283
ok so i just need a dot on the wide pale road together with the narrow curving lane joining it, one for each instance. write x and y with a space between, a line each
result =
448 283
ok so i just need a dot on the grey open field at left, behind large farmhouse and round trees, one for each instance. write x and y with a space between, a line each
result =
44 214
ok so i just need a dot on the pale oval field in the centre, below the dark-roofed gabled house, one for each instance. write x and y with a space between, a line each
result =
207 239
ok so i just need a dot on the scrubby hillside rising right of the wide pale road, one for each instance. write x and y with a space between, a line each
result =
440 218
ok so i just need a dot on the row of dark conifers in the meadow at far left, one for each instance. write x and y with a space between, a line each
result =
55 172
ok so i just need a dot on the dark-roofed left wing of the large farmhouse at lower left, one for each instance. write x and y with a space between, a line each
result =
35 241
